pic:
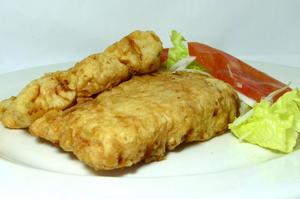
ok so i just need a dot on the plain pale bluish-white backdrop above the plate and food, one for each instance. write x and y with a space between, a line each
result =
34 33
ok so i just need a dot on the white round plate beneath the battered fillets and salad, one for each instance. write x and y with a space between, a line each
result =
222 167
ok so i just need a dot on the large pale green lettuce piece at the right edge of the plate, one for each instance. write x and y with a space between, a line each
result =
274 126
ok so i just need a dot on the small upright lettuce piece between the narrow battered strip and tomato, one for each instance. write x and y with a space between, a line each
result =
178 51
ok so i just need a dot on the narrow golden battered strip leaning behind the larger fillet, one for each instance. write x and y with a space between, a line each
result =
137 53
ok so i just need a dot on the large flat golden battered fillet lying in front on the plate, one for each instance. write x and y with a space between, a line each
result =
141 119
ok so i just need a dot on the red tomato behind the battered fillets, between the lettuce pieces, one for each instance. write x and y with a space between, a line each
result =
244 78
